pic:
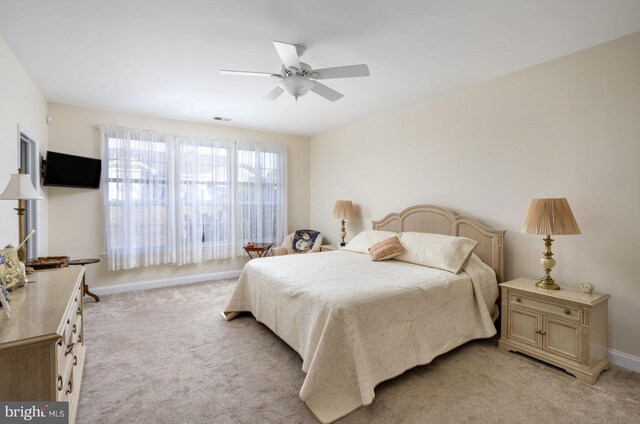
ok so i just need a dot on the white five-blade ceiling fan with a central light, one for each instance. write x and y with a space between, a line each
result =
297 78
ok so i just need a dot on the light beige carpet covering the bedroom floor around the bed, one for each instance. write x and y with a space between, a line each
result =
166 356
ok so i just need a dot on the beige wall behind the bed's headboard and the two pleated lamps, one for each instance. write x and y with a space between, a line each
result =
567 128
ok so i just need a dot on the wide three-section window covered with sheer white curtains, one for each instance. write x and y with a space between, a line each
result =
174 199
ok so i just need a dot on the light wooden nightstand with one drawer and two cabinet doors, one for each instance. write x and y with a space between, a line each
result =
566 327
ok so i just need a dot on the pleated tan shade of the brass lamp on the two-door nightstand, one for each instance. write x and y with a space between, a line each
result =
550 217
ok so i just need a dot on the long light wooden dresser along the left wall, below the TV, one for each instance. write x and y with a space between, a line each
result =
42 346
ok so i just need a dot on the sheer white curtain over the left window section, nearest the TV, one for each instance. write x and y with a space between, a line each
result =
138 205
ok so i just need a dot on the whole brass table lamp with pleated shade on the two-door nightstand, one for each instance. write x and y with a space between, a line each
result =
549 217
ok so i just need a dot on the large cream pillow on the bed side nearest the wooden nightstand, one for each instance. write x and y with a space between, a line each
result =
436 250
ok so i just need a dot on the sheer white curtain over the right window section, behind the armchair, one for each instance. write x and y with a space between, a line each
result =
261 193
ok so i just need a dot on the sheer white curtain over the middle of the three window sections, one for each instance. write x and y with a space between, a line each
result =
204 213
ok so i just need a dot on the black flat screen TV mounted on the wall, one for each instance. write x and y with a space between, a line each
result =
64 170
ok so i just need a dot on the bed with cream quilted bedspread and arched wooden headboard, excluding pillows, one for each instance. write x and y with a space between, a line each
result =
356 323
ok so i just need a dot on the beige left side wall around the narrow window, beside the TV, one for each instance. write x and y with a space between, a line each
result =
21 104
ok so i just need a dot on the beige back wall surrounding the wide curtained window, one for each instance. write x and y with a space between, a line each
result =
76 215
